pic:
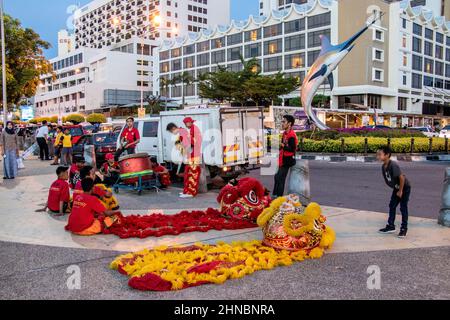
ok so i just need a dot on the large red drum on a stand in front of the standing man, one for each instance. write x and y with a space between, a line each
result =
134 166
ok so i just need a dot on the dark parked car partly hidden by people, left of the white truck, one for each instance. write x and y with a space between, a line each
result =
103 143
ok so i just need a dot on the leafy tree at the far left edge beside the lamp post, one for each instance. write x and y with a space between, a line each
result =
25 61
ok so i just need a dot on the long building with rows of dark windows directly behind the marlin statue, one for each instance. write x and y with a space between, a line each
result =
398 73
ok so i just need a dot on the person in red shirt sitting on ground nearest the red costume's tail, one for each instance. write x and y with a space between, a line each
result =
89 216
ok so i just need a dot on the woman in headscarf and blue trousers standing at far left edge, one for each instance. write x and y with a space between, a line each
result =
9 143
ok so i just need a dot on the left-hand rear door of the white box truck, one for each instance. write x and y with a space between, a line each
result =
232 138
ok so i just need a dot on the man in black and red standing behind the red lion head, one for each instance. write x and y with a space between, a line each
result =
288 147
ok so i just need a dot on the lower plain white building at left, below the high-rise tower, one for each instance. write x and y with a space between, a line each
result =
93 80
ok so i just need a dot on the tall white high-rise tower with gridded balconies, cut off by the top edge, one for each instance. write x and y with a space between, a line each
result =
103 23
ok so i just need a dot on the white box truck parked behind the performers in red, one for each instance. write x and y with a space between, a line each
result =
233 139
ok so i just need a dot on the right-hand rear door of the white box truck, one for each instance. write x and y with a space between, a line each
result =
253 120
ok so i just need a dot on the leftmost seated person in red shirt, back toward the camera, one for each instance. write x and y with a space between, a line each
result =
59 194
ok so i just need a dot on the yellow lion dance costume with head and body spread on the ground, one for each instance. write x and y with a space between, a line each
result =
292 234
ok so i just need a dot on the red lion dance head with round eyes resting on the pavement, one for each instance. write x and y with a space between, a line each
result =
244 200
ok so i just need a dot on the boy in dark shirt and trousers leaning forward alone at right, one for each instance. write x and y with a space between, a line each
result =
396 180
